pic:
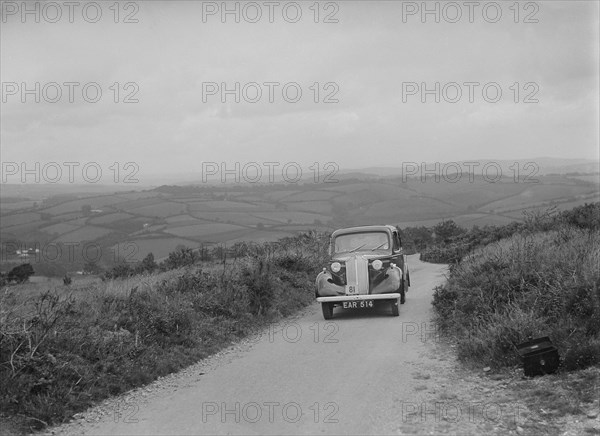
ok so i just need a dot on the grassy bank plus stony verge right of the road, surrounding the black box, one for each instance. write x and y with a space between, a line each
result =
535 279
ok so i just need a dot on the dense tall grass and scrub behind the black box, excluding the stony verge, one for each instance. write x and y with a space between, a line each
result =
542 279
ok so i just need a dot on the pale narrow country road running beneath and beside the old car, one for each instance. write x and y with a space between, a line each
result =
360 373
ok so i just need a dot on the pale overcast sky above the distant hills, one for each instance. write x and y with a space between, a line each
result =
362 70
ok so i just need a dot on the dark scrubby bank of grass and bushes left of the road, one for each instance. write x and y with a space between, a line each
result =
63 350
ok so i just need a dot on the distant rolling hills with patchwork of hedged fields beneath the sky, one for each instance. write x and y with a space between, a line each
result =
160 219
